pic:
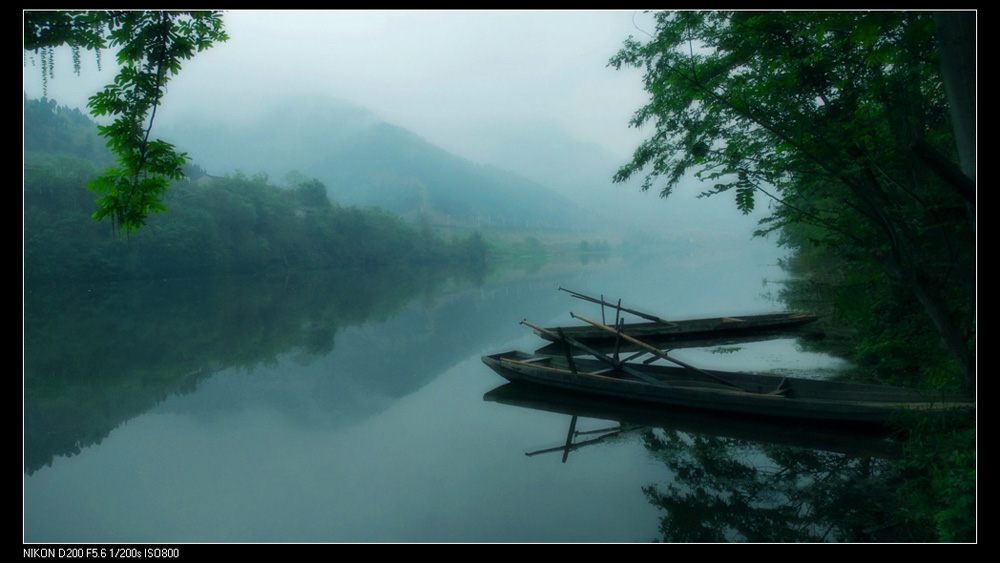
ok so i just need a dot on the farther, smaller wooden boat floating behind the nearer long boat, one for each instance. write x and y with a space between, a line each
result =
660 330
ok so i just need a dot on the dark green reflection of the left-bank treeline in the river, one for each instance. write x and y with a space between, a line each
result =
98 355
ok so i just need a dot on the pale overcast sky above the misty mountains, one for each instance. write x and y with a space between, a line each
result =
447 75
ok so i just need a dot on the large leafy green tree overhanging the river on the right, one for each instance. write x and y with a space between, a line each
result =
842 120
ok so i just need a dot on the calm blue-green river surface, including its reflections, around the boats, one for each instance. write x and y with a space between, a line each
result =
347 408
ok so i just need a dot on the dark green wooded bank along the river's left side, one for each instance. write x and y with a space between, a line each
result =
214 226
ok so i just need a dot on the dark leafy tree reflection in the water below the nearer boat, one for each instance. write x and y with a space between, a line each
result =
726 490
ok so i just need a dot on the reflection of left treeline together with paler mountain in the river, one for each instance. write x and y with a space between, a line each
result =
97 356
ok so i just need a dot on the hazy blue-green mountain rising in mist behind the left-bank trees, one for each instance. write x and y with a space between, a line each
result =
366 162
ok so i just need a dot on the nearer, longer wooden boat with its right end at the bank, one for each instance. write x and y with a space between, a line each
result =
734 393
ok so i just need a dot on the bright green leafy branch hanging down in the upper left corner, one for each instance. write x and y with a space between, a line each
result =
151 47
